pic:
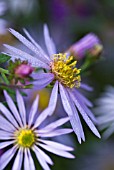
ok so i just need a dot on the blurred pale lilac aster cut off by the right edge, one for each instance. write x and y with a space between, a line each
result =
105 111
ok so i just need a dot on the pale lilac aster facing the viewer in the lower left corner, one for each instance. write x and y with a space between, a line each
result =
23 135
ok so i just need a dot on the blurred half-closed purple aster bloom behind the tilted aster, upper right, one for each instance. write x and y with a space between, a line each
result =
86 44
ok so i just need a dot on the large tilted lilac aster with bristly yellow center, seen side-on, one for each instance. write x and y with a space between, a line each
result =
63 74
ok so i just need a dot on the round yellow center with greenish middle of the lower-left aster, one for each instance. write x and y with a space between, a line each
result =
25 138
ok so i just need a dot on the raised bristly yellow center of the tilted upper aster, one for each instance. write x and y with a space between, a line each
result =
65 71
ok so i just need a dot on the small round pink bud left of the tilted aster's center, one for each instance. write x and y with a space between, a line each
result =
24 70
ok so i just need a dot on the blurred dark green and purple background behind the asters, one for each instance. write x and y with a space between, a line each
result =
68 21
